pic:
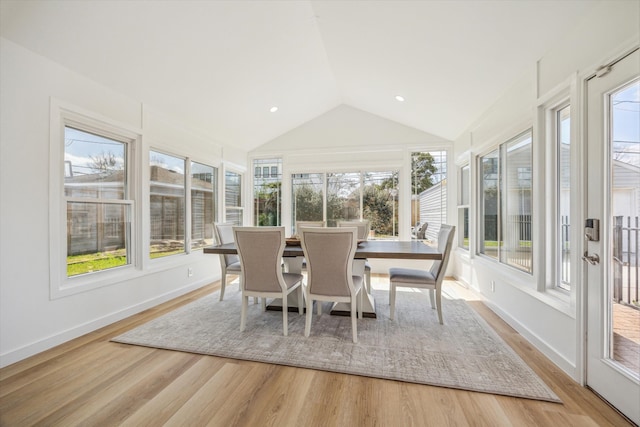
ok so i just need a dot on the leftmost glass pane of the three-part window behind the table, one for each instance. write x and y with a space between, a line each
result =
308 194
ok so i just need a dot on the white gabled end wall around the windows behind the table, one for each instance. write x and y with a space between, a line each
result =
348 139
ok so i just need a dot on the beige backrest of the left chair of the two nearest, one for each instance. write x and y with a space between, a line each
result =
260 250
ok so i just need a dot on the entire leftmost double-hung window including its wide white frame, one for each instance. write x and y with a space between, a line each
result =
93 200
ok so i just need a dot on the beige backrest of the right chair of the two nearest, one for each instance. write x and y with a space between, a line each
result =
329 253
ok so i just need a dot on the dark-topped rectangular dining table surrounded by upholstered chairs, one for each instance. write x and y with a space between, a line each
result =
293 257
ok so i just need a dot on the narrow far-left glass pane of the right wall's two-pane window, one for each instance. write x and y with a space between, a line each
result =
489 204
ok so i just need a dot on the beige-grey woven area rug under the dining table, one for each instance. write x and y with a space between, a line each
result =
464 353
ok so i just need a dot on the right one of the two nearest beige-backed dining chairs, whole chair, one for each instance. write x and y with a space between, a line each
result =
330 253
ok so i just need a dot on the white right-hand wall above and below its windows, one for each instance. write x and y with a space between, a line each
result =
551 324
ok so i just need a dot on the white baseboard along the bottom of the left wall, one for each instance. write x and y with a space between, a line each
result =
29 350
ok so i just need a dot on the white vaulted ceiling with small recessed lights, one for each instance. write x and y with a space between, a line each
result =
221 65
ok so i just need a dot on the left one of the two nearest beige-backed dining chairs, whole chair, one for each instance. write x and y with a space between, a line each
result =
260 251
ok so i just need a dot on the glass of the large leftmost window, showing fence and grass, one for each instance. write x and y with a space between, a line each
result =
97 233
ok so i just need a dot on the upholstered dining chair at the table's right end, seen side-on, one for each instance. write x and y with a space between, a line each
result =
425 279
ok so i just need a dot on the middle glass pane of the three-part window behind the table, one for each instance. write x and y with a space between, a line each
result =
343 197
